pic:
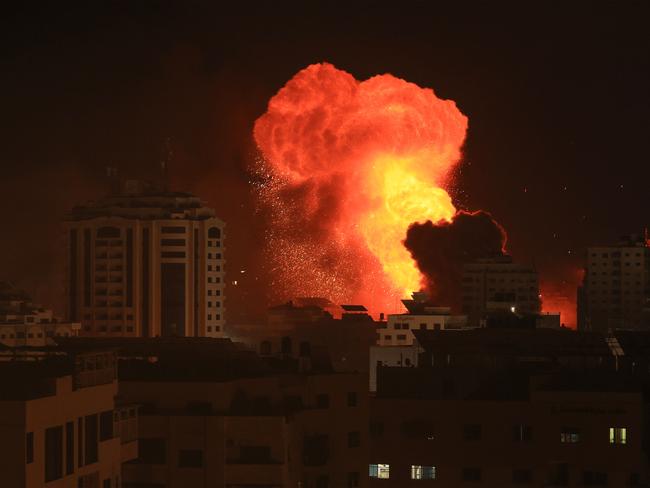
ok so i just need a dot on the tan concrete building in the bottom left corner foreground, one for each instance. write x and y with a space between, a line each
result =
60 426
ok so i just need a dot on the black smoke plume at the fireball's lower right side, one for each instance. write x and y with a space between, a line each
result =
441 249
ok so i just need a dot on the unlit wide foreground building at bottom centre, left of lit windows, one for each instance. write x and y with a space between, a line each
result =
216 415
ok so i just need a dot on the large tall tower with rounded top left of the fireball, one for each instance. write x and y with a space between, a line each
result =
146 262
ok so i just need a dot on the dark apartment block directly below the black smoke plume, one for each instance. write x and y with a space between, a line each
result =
499 283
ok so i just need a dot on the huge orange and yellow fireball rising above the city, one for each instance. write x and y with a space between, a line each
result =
347 167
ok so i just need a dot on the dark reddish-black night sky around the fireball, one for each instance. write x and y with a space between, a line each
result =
556 95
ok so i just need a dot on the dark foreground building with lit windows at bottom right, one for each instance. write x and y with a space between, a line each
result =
511 407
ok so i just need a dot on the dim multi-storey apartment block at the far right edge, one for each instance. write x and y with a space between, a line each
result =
616 287
